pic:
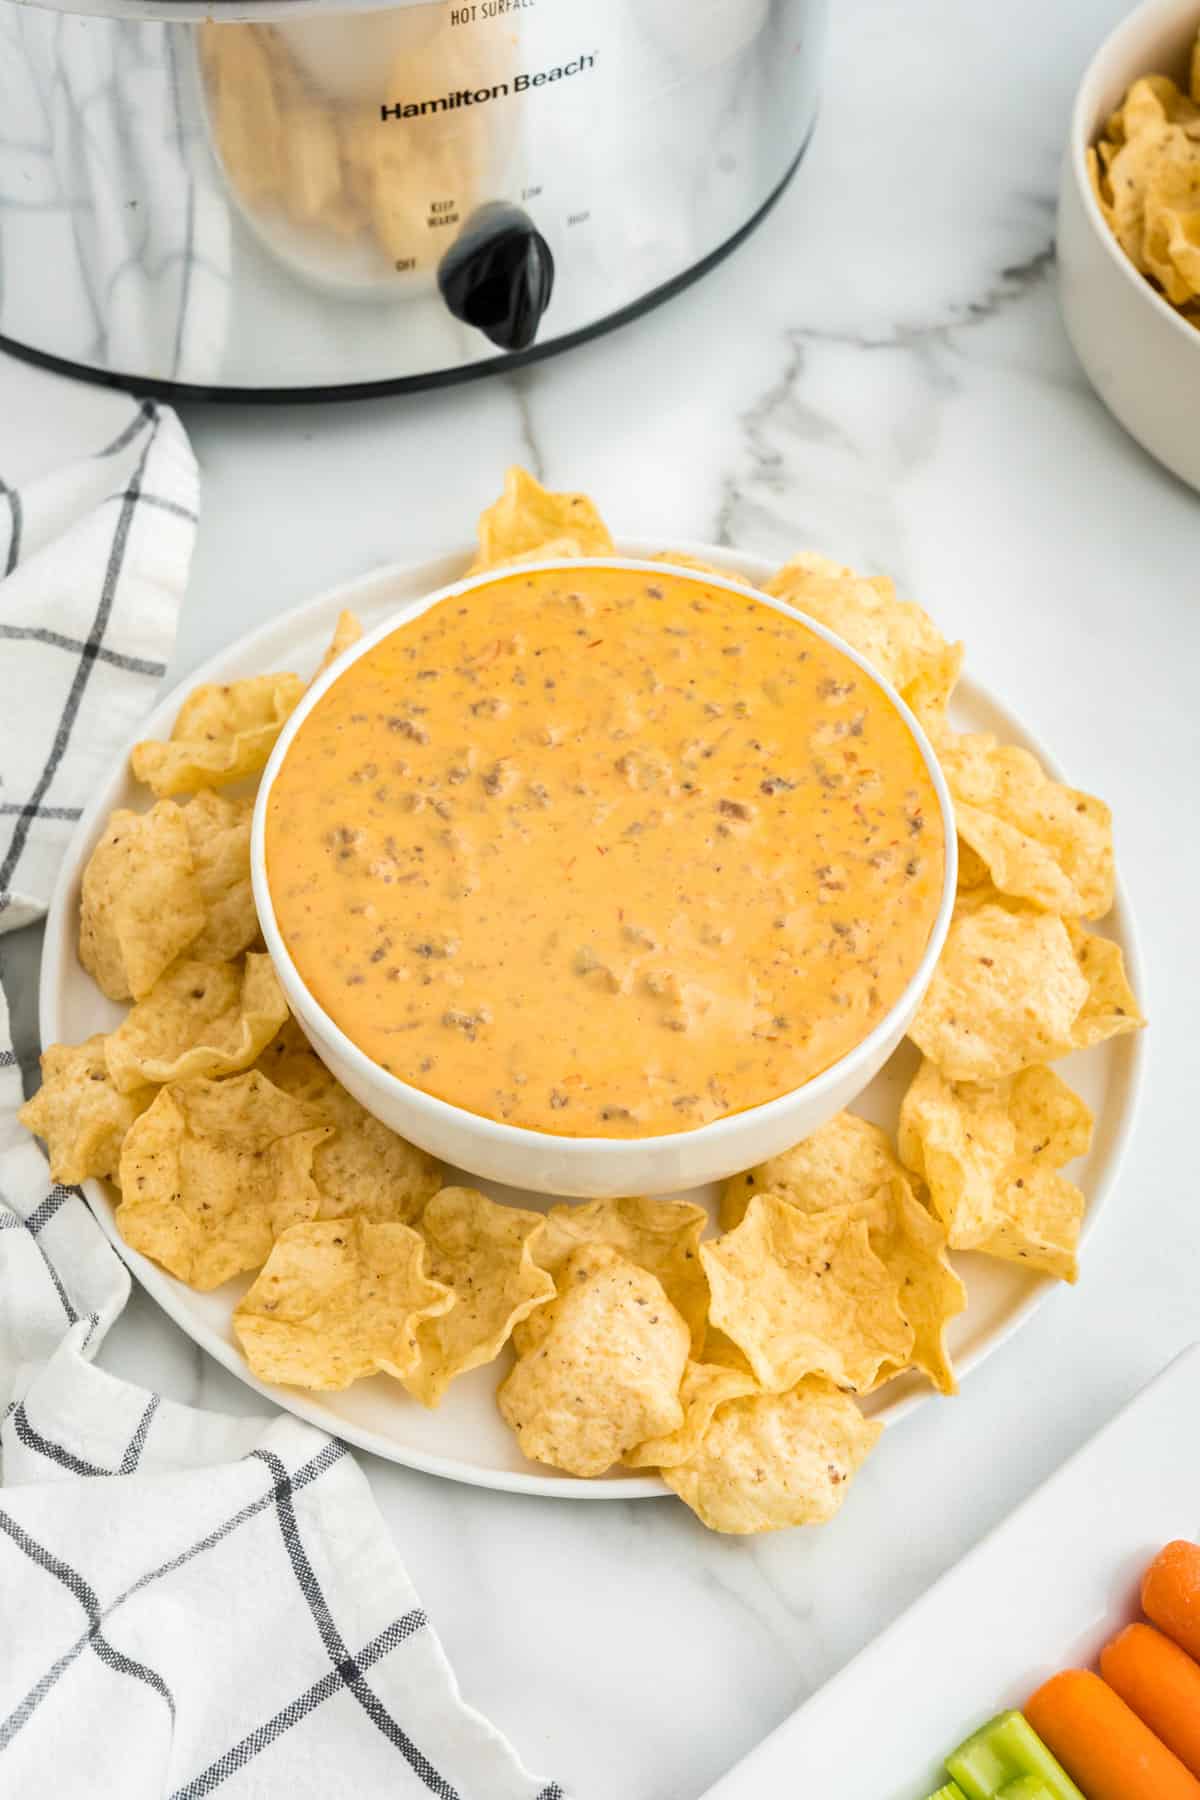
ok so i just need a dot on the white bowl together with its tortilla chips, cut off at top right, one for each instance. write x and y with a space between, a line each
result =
1129 229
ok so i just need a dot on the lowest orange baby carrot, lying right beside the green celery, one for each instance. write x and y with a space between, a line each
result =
1102 1745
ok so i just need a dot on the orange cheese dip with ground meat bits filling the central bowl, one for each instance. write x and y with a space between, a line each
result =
604 852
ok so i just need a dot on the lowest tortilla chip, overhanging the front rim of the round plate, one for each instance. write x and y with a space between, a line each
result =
775 1461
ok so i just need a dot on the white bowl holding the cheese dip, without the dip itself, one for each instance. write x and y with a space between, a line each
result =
593 1167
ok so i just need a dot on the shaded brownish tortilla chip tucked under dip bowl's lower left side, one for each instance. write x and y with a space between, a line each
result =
364 1167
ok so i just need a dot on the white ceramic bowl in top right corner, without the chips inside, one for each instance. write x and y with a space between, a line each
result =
1140 355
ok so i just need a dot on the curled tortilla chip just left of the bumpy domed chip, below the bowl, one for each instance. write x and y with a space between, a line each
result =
483 1254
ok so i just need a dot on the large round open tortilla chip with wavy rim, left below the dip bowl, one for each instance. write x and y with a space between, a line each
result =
213 1173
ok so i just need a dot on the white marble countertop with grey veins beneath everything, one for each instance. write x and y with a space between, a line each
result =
879 373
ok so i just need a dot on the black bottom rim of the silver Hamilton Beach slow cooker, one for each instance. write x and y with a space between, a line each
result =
409 384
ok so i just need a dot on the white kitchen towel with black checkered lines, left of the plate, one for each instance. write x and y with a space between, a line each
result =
190 1605
